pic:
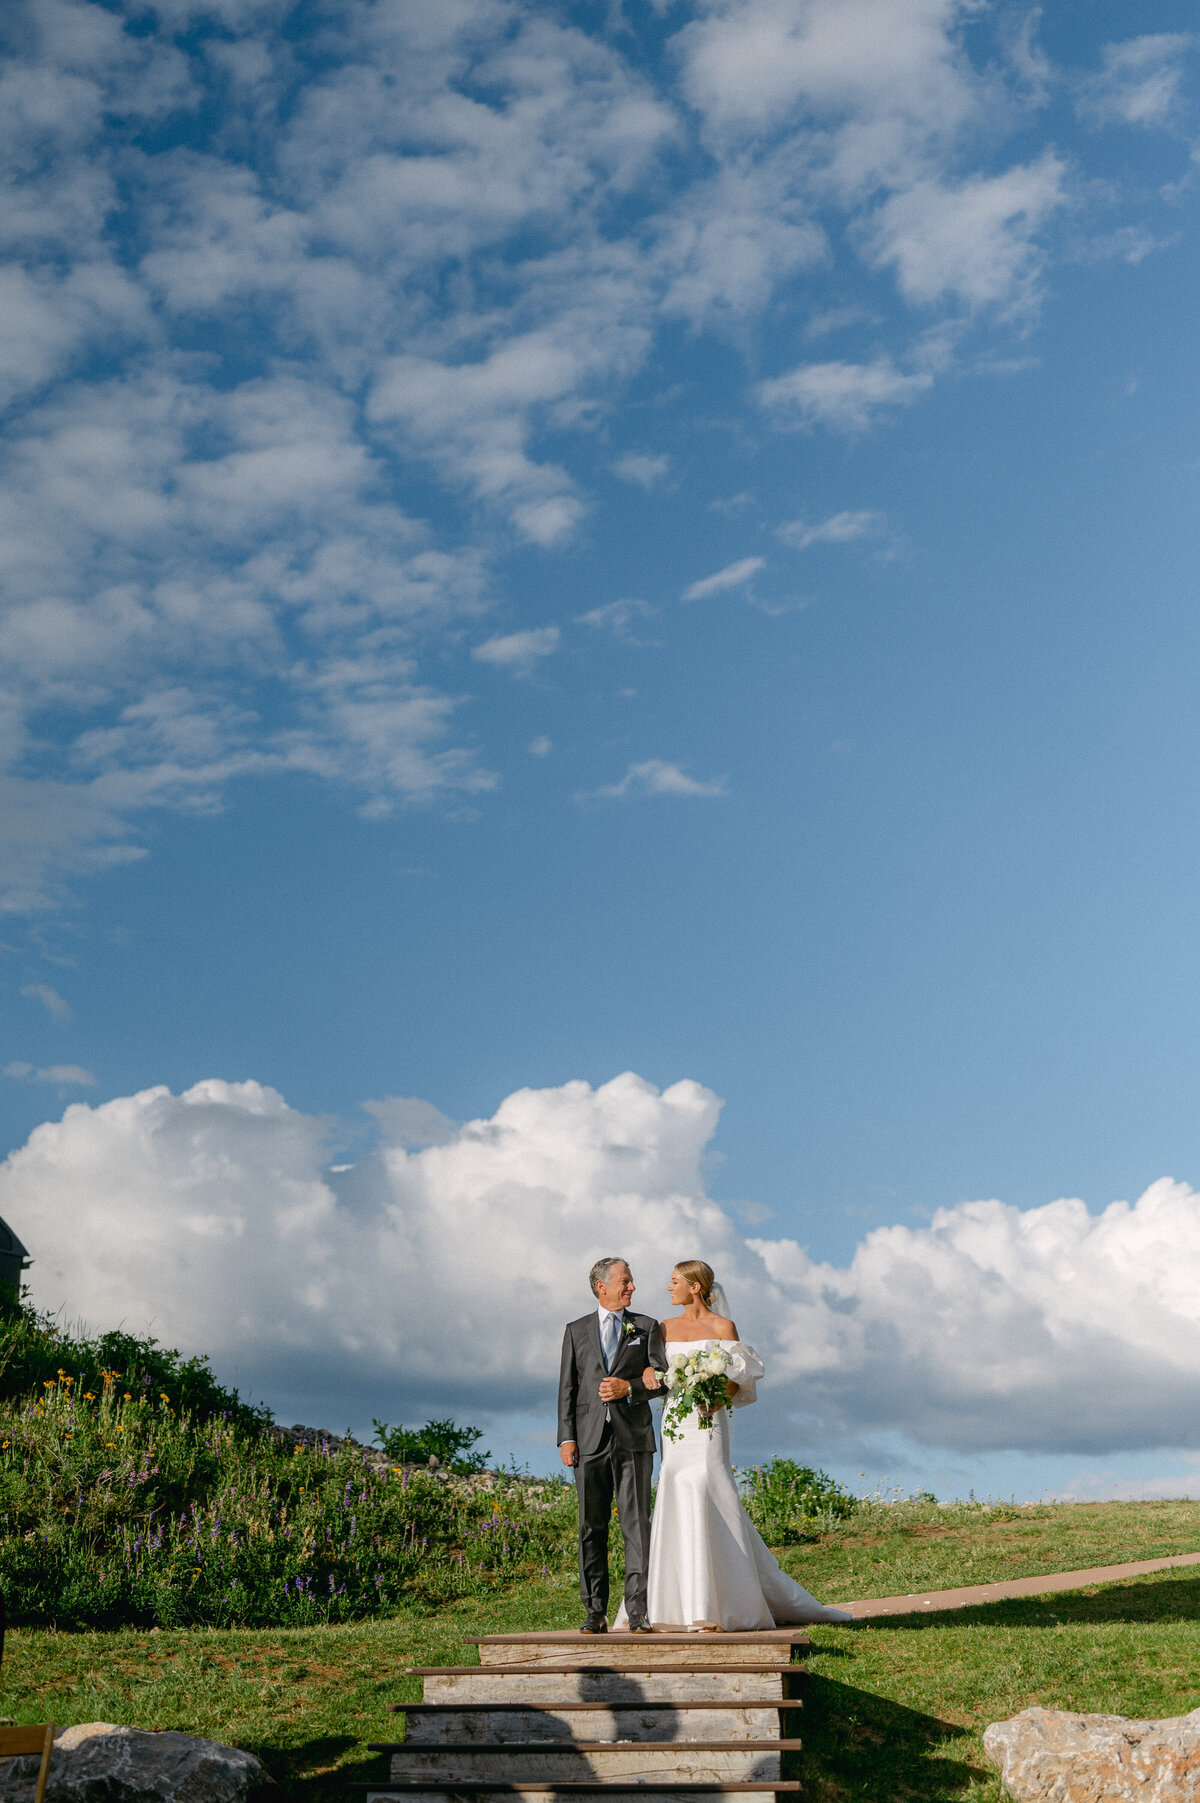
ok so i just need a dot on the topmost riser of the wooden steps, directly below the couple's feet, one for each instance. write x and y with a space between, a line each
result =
662 1649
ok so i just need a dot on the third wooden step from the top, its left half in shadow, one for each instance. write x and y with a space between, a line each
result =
439 1725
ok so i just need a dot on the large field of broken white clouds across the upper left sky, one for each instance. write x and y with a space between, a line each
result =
446 244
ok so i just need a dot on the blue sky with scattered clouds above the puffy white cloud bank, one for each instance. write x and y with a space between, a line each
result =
552 542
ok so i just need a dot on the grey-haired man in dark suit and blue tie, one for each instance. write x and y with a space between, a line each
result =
606 1432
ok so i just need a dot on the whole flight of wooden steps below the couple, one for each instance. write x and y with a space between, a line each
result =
621 1717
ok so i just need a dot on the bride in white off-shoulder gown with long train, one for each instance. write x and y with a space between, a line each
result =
709 1568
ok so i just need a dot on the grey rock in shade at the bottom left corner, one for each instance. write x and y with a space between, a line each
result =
98 1762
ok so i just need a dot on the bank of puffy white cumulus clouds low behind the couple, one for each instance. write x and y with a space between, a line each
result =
217 1220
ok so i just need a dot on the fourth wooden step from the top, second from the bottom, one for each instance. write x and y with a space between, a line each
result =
711 1762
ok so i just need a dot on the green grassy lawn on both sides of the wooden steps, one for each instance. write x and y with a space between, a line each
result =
893 1712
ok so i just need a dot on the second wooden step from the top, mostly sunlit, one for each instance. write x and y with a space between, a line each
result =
594 1683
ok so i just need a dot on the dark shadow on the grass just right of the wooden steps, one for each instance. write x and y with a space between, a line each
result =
862 1746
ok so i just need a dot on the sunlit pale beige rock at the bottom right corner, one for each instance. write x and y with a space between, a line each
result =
1060 1757
